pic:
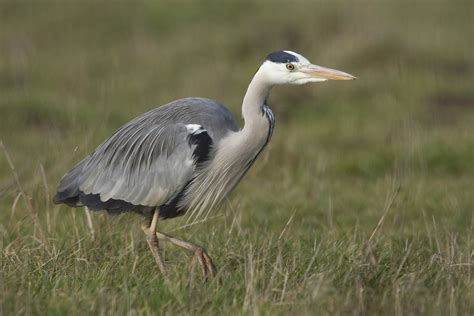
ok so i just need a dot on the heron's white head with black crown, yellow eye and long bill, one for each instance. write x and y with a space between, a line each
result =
287 67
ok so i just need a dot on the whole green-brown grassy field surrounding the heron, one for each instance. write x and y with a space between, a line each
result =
362 203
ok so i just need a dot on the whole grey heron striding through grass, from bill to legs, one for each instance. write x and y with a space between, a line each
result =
184 157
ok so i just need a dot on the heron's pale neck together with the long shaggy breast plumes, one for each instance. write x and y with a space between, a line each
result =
235 153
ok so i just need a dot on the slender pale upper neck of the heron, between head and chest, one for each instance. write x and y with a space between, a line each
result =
255 97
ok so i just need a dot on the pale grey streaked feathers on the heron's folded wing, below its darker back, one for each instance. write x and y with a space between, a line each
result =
126 177
